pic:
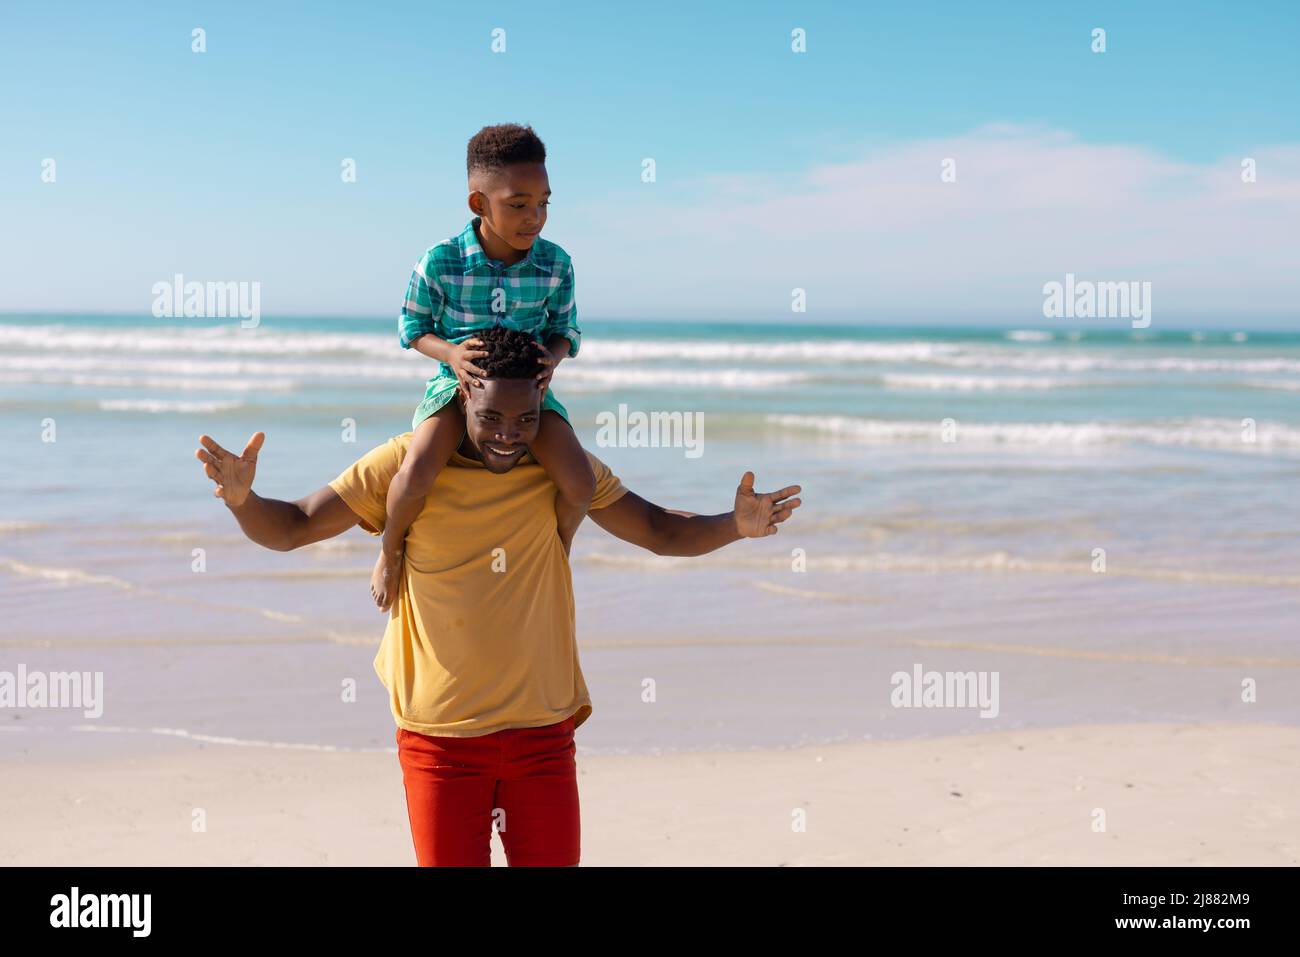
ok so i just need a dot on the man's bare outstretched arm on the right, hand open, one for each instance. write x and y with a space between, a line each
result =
671 532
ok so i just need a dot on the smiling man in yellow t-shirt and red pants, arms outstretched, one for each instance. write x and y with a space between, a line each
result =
480 656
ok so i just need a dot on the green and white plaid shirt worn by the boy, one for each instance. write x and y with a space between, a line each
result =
454 287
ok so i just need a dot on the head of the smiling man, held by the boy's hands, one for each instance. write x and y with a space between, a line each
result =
504 417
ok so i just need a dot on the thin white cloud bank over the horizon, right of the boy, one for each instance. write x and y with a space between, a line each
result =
885 233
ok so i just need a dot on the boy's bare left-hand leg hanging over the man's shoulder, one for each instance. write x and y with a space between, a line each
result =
431 449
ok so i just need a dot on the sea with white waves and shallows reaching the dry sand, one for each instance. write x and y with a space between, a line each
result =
1103 525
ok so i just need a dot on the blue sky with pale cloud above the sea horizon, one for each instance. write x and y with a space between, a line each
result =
775 171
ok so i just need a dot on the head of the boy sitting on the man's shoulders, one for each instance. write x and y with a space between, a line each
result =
508 183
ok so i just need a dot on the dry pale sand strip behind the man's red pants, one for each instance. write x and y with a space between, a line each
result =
1172 795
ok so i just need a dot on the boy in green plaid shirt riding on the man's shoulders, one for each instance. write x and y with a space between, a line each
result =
497 272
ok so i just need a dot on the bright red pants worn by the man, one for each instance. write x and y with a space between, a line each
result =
522 781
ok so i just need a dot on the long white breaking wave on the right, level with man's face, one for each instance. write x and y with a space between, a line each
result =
1202 434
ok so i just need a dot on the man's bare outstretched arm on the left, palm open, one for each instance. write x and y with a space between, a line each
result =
270 522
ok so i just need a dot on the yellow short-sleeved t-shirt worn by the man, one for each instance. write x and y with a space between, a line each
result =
483 635
